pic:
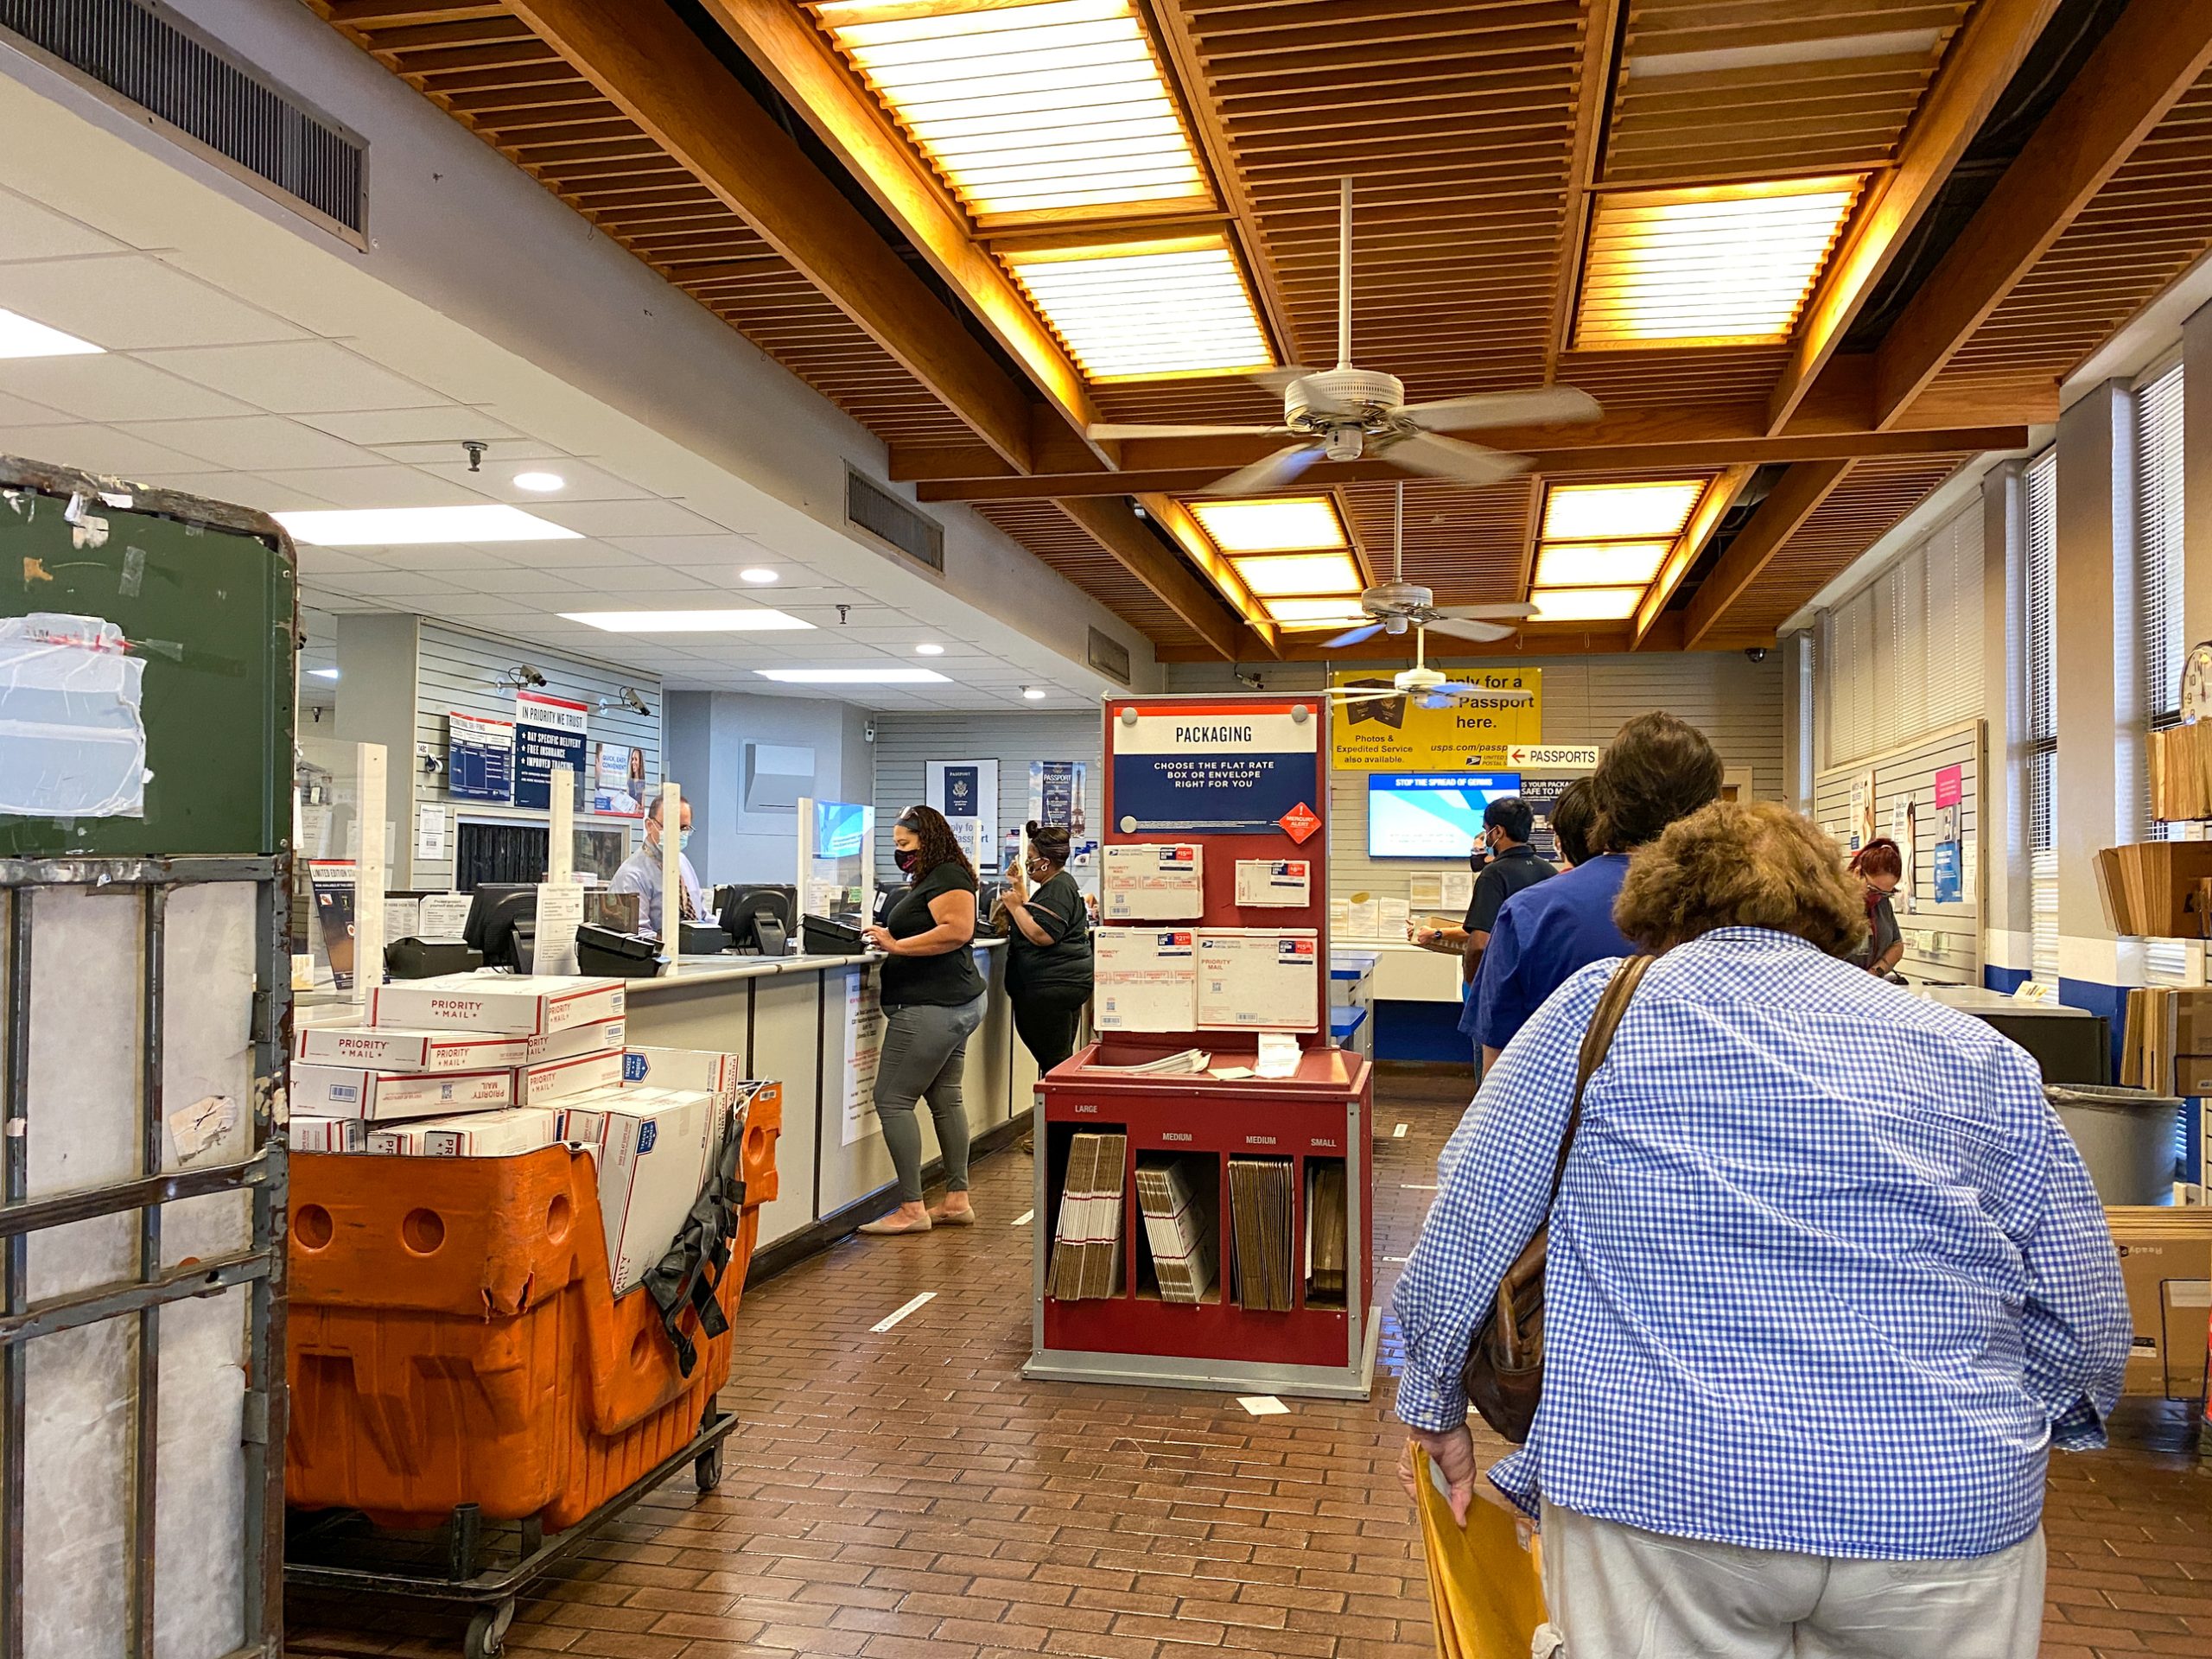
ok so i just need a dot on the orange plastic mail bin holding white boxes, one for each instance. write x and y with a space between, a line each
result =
455 1337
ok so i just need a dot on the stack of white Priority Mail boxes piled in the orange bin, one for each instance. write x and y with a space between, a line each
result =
501 1065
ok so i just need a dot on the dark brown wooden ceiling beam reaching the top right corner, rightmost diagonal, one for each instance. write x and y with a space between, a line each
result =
2145 63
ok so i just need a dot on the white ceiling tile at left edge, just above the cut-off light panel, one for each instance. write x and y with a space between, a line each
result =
134 302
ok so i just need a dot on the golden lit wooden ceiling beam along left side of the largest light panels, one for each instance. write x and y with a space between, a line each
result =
806 70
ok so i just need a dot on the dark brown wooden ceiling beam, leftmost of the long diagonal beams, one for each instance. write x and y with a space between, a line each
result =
665 79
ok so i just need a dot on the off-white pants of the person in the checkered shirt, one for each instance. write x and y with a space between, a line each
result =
1625 1594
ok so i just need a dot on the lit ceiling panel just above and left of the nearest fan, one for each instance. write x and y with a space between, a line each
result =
1149 311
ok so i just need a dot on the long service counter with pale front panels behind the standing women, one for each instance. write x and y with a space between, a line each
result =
800 1019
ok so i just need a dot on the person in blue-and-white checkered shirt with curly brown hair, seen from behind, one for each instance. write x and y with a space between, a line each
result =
1826 1284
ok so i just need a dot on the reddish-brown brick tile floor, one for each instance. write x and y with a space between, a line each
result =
912 1496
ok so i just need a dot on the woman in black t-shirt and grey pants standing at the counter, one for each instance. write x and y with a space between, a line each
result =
932 1003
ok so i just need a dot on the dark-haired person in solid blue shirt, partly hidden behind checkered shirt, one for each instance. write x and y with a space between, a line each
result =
1656 771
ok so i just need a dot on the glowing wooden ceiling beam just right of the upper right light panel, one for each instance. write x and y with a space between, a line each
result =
1974 72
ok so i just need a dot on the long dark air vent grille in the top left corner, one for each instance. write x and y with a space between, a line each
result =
147 59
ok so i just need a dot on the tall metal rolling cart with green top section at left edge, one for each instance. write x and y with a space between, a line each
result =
147 691
